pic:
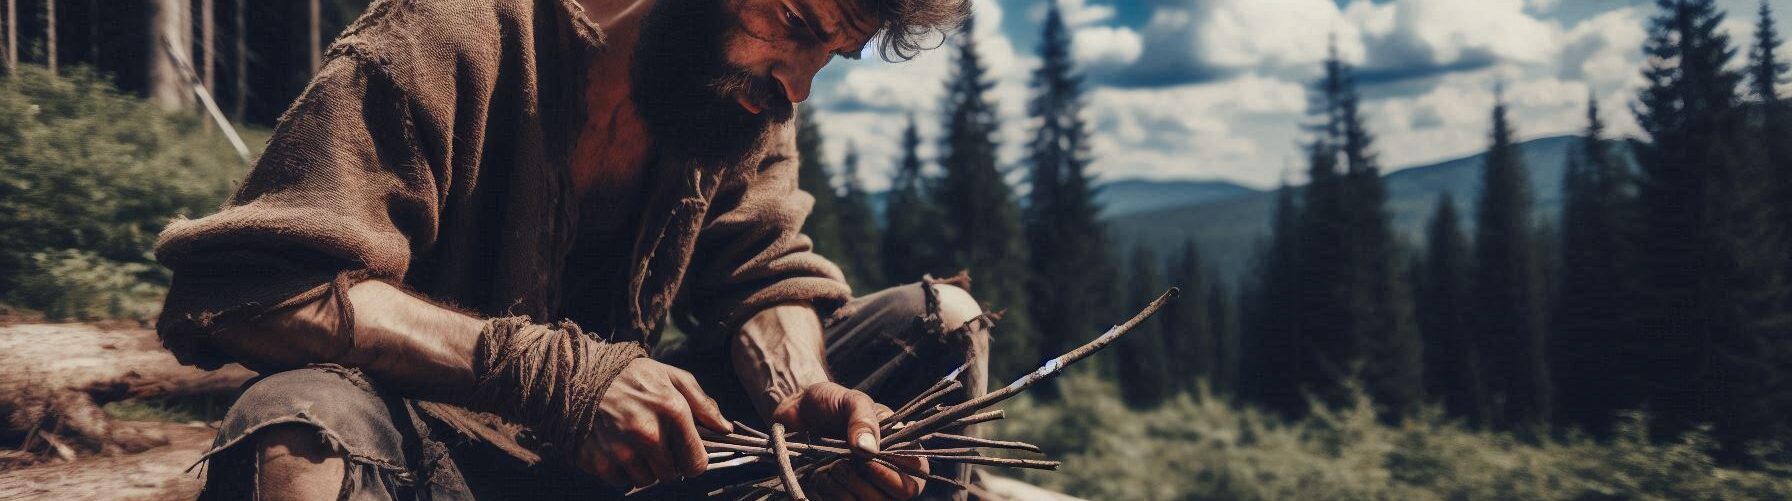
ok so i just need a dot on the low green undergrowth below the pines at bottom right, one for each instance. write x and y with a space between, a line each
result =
1203 448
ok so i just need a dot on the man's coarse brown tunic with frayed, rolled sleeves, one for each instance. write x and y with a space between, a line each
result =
433 149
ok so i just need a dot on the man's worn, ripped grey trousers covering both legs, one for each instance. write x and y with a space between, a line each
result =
392 457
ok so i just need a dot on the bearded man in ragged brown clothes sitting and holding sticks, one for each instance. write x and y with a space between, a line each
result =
573 174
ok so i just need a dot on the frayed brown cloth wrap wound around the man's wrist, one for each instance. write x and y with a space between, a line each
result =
549 378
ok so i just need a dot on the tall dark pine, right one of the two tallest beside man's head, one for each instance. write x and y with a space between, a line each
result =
1069 251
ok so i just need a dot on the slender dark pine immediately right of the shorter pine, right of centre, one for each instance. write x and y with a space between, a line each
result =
1510 285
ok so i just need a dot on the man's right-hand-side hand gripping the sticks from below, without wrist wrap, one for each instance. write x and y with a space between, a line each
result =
854 418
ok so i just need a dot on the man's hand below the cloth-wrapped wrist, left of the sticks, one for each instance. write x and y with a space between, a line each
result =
648 427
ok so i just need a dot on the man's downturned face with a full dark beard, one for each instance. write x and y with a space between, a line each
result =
712 76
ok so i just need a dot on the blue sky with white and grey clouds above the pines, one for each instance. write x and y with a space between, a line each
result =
1218 89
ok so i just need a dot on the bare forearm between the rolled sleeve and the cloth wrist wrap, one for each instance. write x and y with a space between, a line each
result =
404 343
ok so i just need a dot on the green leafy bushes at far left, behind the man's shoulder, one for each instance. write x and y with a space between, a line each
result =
89 178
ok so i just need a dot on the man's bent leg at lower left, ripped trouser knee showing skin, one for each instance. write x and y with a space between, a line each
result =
314 434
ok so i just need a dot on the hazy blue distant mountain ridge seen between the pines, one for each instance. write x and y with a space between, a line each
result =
1230 232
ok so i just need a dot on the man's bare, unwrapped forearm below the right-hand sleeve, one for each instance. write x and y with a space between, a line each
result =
779 353
